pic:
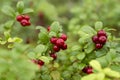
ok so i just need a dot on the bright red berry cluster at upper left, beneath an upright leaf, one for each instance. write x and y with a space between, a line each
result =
24 20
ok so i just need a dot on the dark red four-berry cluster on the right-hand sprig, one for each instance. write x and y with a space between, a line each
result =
100 39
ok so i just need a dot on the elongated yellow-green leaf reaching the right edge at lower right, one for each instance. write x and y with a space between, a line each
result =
111 73
